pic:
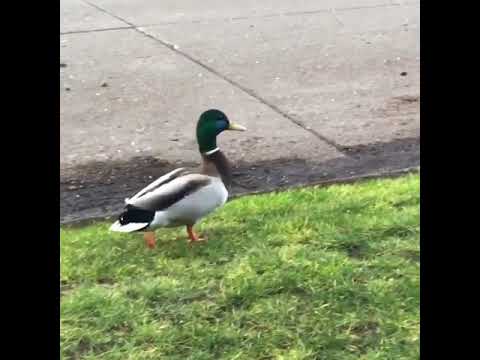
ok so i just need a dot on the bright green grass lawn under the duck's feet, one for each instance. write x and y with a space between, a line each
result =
319 273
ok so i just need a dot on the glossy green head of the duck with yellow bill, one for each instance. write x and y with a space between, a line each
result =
210 125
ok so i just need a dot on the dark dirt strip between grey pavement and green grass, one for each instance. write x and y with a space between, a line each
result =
97 190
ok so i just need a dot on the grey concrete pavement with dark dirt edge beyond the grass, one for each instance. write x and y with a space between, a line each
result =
327 89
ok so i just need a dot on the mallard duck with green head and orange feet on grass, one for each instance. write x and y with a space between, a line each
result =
183 197
